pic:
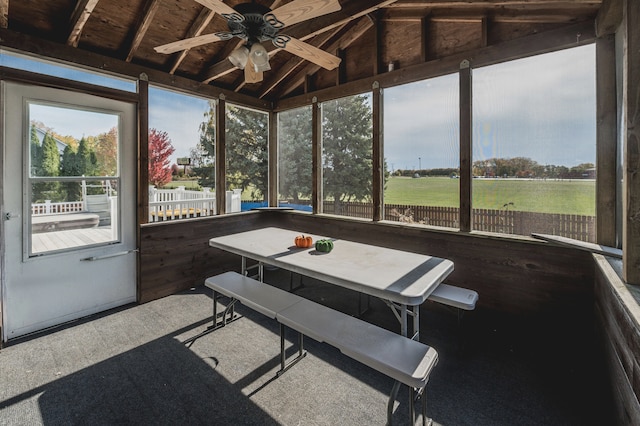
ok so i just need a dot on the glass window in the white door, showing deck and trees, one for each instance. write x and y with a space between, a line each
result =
73 178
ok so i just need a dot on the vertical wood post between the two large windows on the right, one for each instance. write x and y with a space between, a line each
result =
466 127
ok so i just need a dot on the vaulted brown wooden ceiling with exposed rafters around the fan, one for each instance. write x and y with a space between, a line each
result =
368 35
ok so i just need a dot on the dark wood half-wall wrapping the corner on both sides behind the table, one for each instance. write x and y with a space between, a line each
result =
529 289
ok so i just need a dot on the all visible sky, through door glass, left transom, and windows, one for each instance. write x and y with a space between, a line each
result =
541 107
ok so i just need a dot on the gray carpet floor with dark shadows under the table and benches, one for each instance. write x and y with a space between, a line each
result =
155 364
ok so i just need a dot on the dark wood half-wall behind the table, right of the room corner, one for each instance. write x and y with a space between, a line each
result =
521 283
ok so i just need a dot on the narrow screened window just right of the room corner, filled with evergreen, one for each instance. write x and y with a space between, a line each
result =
294 158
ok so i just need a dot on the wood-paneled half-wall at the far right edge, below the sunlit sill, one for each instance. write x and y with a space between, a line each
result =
619 339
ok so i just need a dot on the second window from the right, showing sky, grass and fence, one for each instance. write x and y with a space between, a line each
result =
421 150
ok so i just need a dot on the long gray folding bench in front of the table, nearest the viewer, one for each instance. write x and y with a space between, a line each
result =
405 360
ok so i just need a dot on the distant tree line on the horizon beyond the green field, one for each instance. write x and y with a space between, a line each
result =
517 167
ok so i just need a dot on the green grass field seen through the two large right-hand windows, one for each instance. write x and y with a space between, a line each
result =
544 196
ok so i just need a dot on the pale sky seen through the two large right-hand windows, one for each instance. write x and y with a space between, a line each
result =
541 107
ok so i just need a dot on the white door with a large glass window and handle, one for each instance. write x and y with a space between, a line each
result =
68 189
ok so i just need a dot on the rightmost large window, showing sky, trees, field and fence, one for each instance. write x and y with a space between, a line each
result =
534 145
